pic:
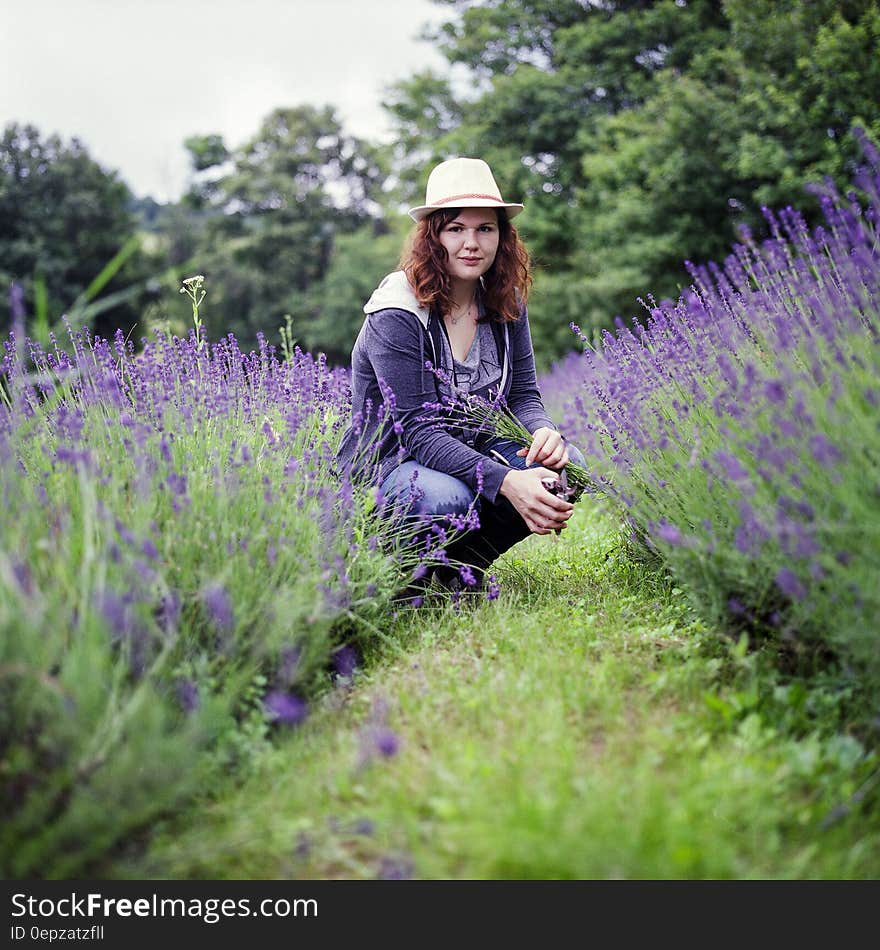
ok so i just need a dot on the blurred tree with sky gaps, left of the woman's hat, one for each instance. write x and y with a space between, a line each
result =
270 221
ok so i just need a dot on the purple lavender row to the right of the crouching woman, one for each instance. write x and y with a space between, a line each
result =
737 430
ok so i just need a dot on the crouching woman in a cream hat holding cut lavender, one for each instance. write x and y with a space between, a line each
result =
458 303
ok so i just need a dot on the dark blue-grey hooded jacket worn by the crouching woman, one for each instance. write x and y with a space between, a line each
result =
397 339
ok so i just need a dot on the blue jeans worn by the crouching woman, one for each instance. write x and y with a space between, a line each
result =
438 494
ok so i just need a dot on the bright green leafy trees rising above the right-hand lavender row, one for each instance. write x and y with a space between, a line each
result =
749 125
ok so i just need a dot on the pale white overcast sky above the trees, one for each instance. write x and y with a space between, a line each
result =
133 78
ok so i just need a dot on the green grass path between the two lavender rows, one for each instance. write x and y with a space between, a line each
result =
582 726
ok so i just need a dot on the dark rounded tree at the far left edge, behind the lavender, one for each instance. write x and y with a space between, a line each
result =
63 218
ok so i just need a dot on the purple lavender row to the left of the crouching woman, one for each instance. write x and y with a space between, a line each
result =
181 569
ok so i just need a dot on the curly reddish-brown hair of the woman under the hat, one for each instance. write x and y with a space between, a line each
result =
506 283
